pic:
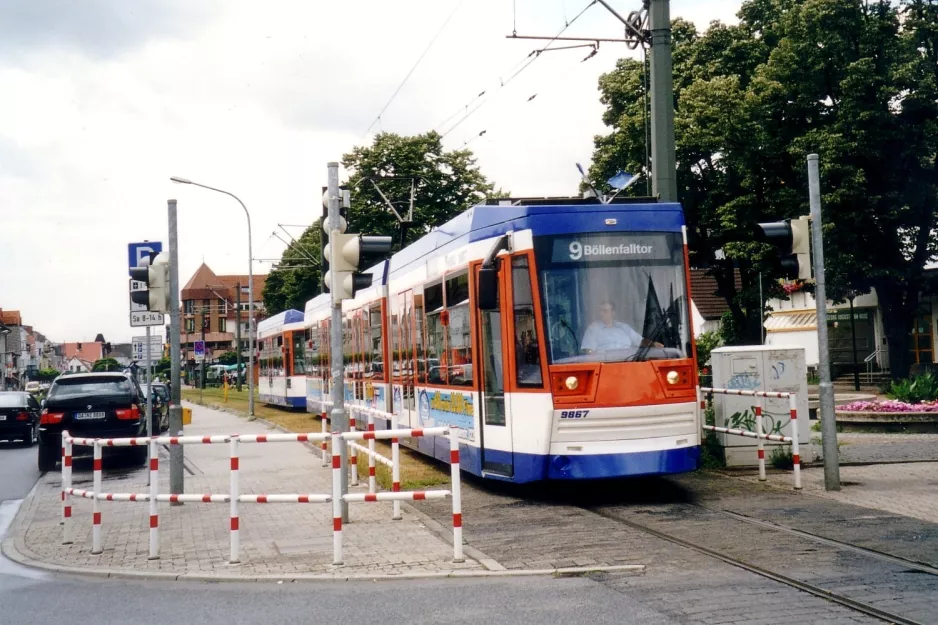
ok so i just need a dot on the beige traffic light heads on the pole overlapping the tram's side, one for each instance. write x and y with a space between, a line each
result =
353 253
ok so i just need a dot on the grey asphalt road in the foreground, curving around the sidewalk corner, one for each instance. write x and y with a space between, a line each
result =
32 597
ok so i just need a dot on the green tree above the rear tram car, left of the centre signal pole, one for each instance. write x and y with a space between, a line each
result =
295 280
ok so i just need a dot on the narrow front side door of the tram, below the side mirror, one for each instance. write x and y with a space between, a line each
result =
495 438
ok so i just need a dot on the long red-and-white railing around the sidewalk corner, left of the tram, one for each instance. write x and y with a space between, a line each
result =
234 497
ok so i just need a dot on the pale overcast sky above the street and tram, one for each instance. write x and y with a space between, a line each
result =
104 100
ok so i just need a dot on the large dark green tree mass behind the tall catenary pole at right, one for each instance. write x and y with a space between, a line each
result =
852 81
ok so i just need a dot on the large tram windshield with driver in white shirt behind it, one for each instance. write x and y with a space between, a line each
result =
613 297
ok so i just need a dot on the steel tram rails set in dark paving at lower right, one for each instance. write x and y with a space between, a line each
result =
619 515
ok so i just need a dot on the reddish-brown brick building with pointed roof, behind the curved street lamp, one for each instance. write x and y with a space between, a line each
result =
212 301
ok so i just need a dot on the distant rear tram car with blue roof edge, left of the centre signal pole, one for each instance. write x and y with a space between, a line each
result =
282 360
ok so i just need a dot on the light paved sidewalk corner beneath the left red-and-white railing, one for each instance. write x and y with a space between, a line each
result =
277 540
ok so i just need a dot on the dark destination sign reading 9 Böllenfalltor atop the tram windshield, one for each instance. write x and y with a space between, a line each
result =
600 247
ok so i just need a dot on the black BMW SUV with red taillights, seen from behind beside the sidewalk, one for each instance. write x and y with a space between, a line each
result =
96 405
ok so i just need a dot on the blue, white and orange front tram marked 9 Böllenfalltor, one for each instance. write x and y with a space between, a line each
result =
553 334
